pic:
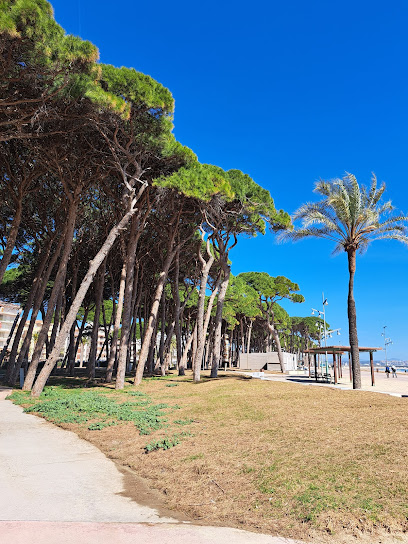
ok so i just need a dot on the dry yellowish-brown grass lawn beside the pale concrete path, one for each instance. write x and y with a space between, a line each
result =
281 458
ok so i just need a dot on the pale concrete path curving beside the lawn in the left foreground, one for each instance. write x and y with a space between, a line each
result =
57 488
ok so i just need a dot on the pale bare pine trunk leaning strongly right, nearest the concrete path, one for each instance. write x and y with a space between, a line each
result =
83 289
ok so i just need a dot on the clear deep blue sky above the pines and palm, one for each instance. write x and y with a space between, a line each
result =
288 92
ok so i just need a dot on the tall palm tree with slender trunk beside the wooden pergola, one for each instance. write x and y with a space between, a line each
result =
351 216
